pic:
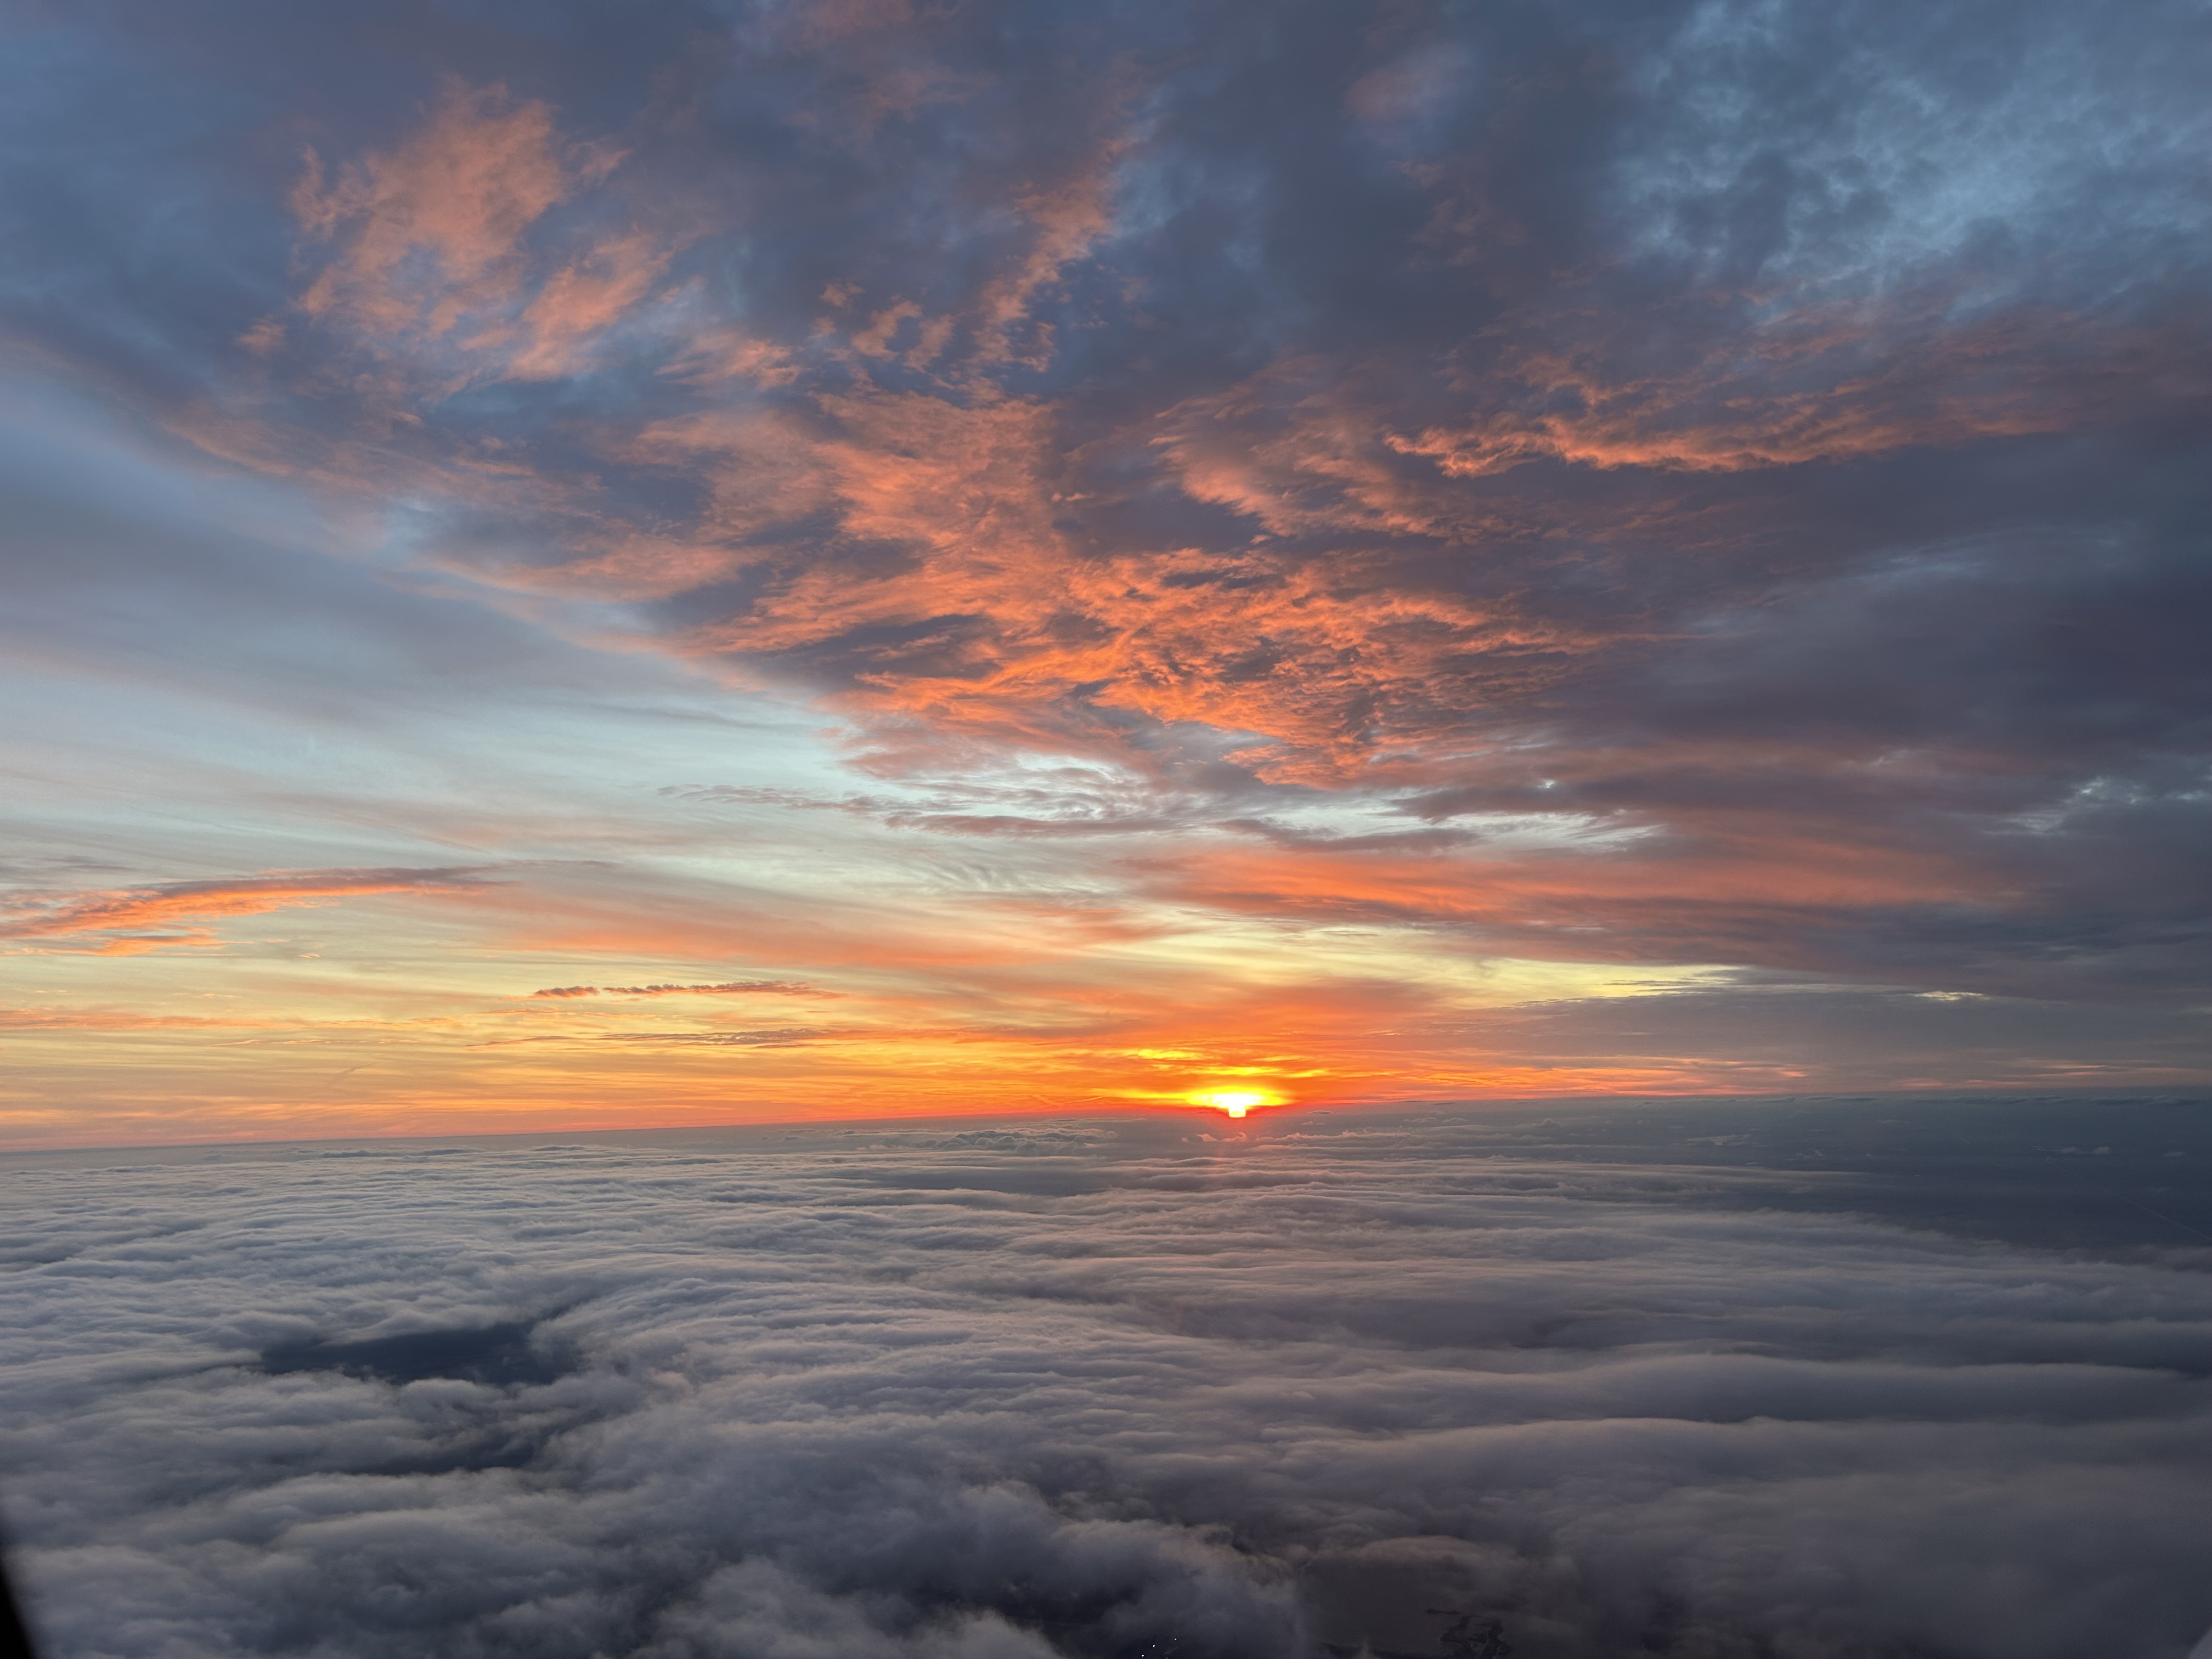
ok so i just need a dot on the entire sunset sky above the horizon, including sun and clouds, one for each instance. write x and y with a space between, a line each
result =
583 565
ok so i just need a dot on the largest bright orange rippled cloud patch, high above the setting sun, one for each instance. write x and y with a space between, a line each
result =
999 627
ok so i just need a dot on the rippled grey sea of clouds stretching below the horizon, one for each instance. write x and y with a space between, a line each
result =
1112 1388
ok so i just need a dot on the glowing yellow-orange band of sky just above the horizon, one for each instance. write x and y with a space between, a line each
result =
198 1010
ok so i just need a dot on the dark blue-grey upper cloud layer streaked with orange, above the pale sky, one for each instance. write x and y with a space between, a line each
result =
1720 483
